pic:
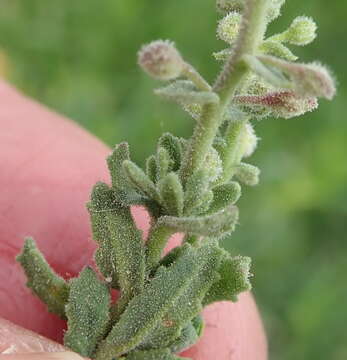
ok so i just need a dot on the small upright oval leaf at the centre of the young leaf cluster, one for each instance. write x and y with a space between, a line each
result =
171 193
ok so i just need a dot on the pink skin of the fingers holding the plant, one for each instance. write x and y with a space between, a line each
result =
48 166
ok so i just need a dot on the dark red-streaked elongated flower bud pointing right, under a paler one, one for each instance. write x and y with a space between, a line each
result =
285 104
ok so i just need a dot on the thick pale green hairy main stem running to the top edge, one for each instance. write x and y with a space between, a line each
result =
252 32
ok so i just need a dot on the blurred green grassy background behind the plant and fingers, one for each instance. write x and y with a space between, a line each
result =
79 58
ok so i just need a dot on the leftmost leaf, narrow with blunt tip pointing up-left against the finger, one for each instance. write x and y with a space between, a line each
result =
42 280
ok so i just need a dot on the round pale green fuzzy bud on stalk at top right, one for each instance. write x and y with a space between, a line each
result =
301 32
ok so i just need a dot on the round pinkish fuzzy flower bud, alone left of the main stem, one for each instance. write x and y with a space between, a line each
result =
161 60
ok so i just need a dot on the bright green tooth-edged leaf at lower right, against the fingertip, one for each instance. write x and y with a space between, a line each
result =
234 279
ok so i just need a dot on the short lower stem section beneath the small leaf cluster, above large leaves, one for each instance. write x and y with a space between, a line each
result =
157 239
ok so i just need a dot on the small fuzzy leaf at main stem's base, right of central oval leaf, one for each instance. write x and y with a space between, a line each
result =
197 184
